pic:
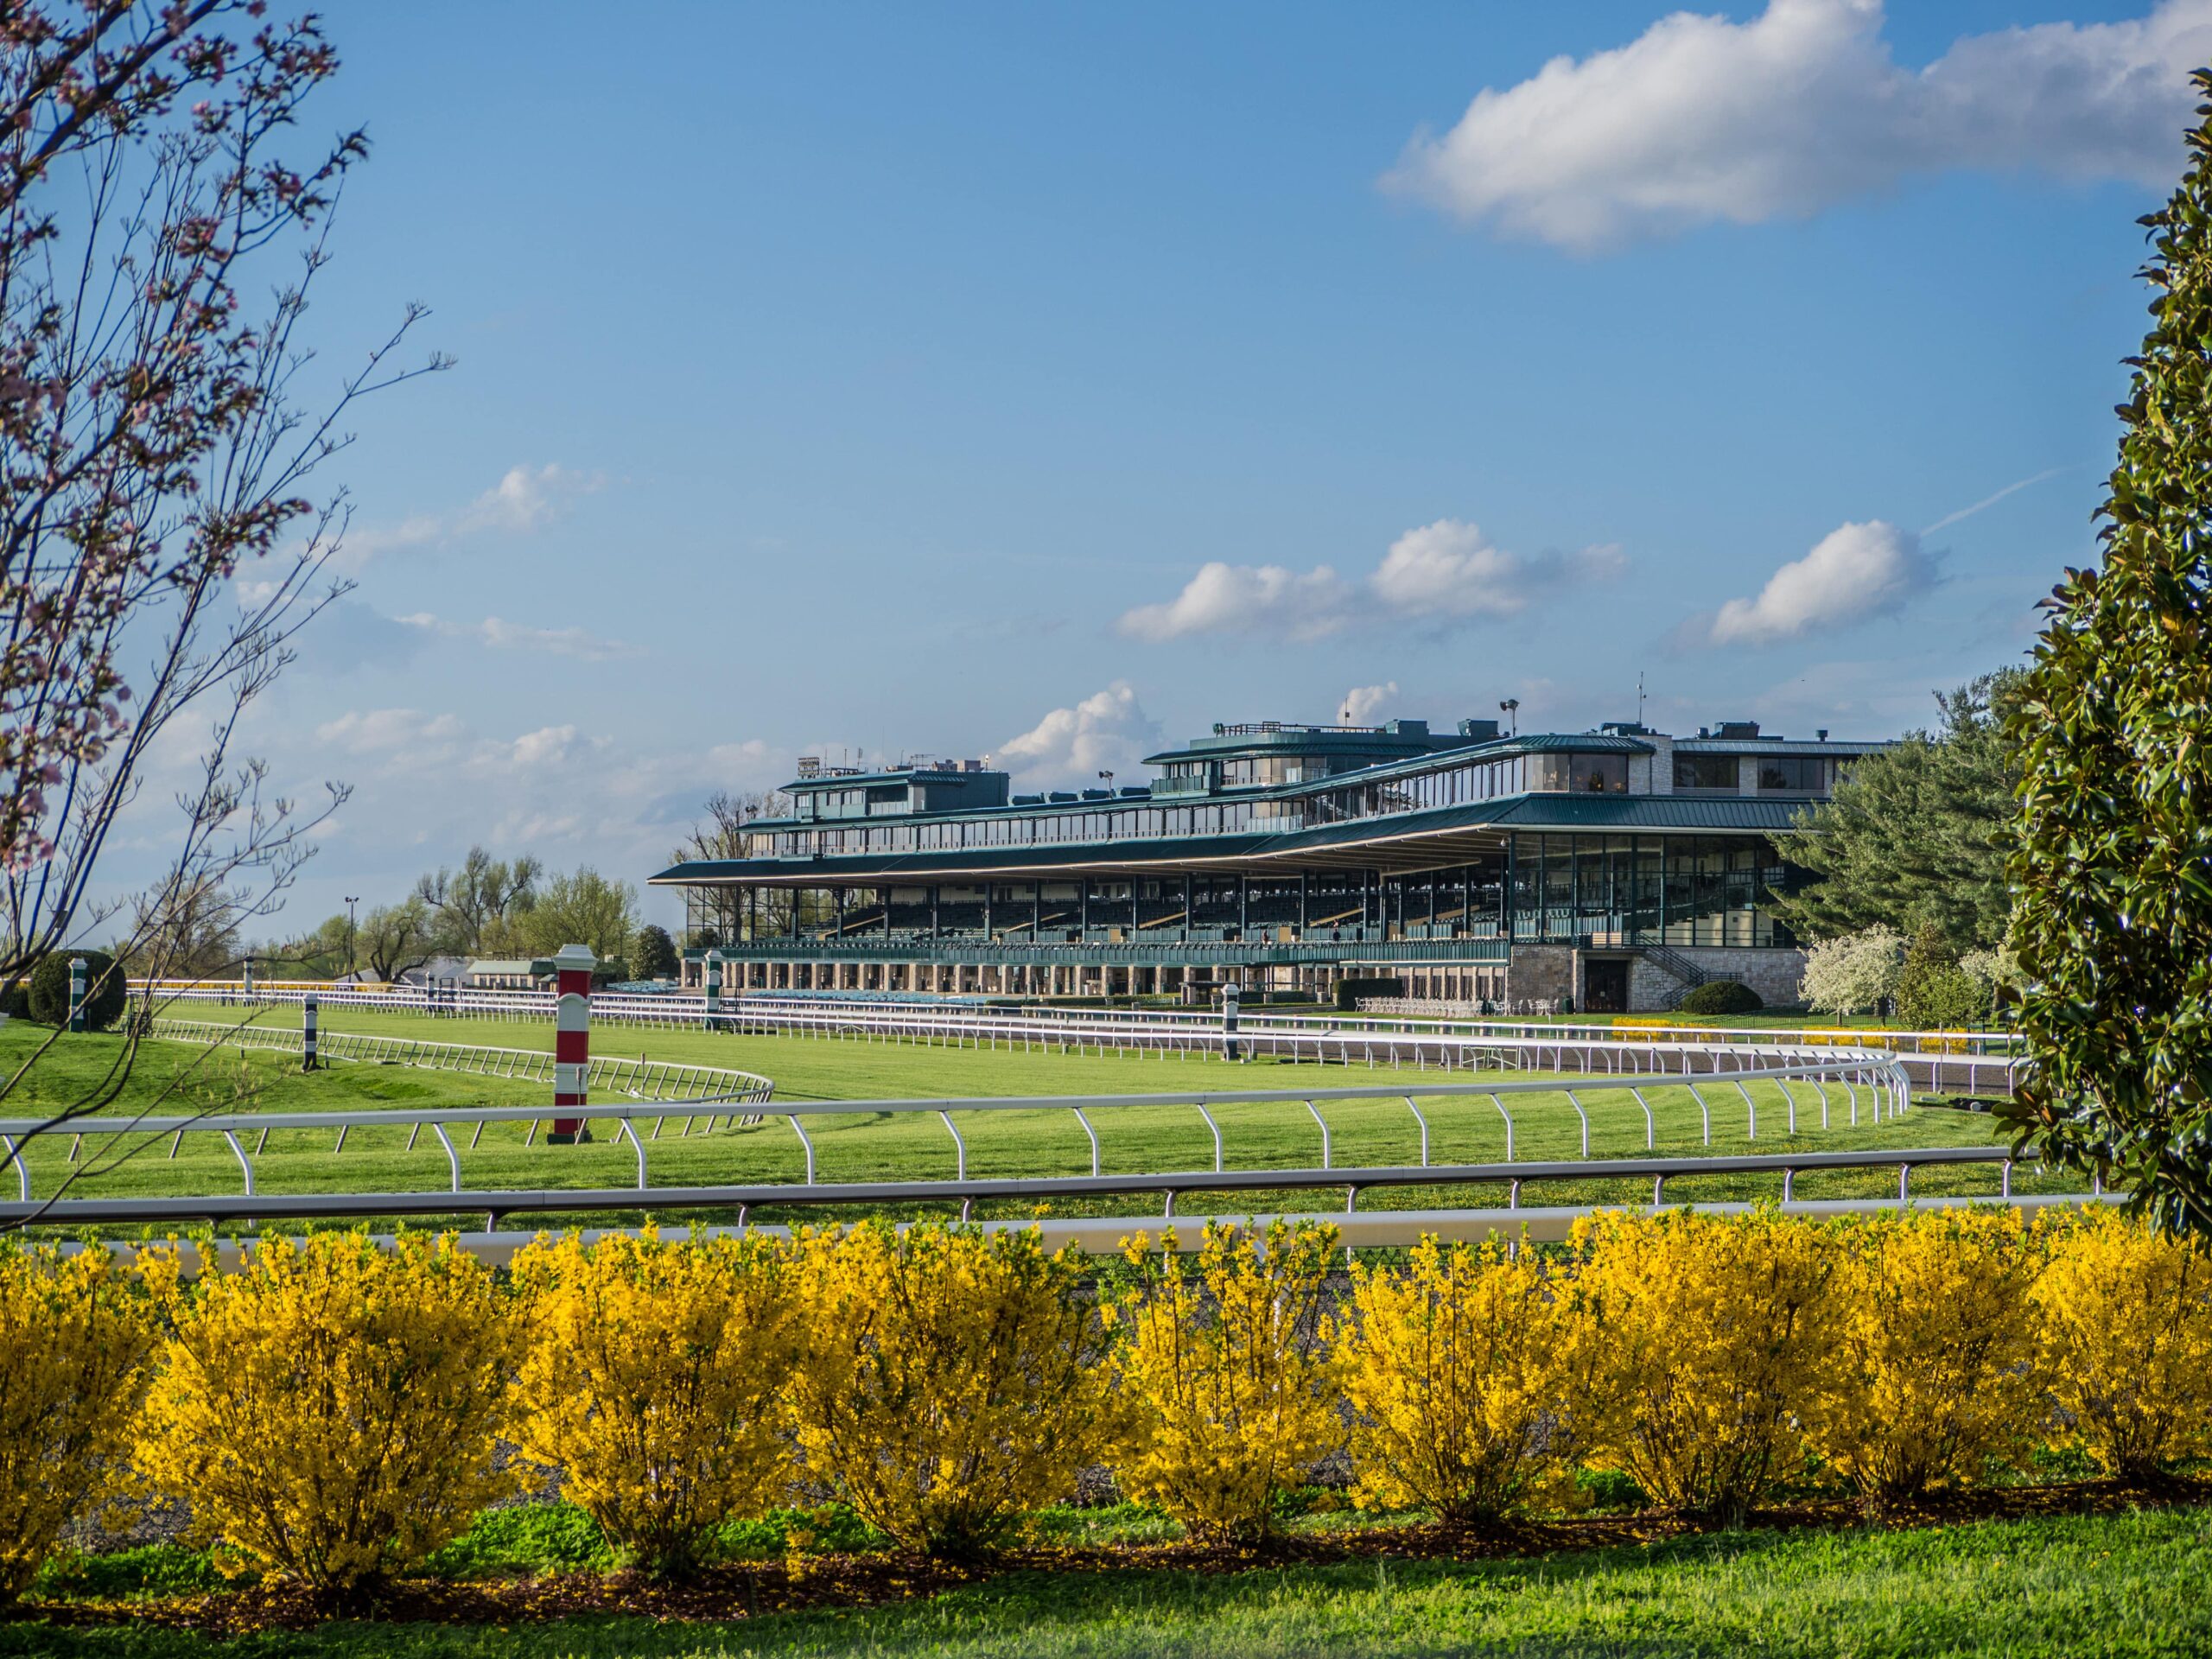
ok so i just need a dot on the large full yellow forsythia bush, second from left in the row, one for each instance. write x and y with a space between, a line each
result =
328 1410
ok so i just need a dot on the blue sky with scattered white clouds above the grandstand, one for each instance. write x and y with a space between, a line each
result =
888 379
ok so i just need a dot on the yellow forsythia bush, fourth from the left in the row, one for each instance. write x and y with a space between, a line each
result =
954 1379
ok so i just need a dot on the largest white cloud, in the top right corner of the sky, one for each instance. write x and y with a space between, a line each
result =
1709 121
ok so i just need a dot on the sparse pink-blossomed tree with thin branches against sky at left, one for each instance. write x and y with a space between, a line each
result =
158 547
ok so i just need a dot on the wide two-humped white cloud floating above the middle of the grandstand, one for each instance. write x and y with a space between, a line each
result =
1441 574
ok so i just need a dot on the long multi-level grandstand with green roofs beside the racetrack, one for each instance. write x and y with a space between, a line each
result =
1598 870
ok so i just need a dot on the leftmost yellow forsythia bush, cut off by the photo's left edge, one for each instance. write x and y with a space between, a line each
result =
74 1346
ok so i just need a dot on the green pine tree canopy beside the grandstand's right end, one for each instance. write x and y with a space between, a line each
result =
1914 835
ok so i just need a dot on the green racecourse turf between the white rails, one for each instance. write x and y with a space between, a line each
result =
917 1147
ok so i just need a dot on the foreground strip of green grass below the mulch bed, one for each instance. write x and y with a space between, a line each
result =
2087 1585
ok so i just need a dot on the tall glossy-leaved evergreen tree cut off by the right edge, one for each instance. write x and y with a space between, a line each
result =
2114 846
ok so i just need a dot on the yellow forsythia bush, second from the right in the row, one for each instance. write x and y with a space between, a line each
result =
1937 1350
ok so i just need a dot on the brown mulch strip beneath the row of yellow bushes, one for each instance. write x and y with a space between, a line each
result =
731 1594
